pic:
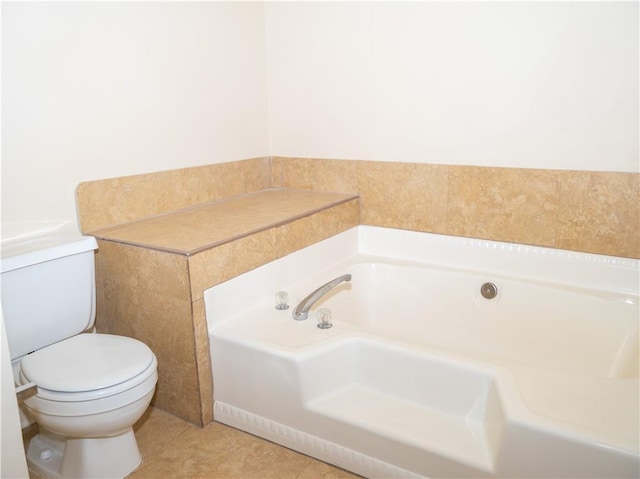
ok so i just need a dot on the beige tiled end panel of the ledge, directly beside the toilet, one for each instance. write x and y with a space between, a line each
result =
145 294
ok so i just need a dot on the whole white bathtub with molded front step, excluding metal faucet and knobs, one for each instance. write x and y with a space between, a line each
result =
420 376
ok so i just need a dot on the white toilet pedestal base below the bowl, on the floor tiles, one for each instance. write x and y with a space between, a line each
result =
56 457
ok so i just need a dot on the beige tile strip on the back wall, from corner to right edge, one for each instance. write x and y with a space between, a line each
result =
595 212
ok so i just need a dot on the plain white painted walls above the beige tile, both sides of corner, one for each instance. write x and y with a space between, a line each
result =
104 89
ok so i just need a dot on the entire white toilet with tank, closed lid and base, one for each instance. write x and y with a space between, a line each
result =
91 388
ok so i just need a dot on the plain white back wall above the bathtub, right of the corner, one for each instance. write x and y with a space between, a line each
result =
516 84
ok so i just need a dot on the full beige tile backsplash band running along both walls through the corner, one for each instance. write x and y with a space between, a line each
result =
596 212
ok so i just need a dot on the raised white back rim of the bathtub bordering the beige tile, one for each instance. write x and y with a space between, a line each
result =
616 277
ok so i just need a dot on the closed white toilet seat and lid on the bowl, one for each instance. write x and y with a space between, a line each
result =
88 367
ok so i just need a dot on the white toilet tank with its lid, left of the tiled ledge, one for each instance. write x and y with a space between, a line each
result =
48 290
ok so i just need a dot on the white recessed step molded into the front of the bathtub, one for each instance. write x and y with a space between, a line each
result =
381 388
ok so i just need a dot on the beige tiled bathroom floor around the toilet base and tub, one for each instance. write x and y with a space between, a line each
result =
173 448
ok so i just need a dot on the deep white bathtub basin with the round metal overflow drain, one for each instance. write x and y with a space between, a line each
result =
540 325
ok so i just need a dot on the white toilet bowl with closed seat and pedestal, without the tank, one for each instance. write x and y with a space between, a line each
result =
92 388
